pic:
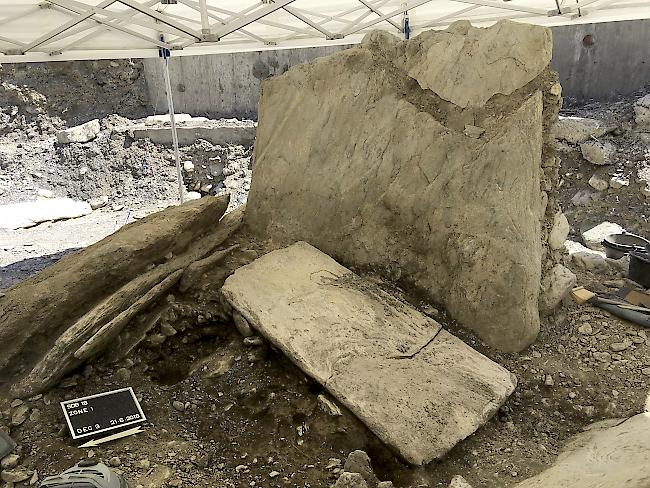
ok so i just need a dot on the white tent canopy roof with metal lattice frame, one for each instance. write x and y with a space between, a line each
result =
51 30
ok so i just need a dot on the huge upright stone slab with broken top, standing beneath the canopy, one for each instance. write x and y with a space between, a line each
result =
429 159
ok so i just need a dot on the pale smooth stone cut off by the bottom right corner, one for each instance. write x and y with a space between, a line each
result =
602 458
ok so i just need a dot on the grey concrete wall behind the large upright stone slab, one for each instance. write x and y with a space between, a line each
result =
227 85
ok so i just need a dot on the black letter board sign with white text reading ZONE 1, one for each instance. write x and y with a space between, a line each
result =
112 410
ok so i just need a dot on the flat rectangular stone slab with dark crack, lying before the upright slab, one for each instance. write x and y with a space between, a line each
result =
417 387
